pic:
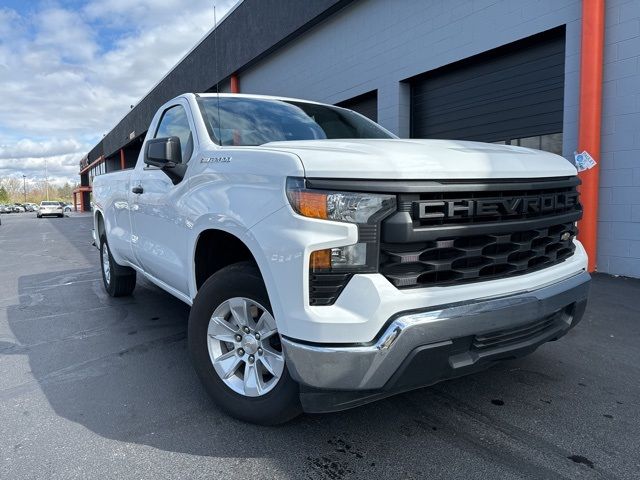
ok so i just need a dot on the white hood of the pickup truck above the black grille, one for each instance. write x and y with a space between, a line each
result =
422 159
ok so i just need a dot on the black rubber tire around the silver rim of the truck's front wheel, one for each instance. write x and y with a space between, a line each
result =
281 403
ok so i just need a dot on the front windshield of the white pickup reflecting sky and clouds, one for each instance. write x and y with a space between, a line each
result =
255 121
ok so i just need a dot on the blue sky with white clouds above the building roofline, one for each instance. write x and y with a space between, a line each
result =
70 69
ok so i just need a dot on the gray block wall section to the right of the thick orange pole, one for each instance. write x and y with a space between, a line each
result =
619 221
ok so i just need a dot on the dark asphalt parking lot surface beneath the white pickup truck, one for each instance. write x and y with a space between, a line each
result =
95 387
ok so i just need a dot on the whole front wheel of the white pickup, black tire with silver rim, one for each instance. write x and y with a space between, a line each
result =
277 400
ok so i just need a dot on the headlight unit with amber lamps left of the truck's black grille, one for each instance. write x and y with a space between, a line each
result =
362 209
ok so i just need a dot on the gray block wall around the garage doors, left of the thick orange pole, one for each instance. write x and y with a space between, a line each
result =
376 44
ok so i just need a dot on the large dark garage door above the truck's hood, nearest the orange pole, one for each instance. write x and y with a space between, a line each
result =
512 94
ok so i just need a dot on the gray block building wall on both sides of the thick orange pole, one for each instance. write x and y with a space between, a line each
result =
376 44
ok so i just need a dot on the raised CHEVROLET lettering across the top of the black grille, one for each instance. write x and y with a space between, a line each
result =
482 207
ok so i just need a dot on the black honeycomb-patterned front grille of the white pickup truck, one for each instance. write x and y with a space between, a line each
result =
454 250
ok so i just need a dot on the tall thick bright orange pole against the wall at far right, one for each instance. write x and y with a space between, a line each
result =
591 60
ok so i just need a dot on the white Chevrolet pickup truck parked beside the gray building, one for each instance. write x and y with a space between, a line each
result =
329 263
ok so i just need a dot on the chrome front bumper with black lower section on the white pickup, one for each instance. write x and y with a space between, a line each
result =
372 366
